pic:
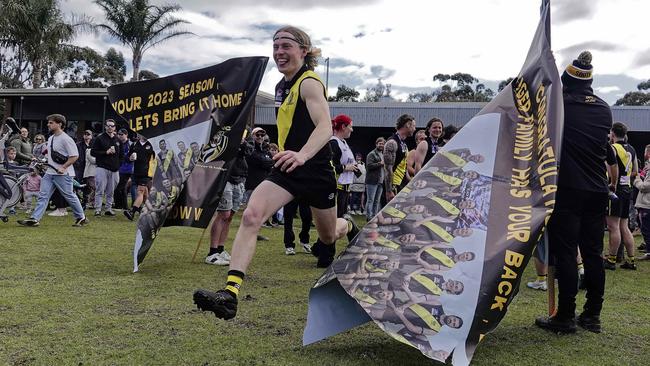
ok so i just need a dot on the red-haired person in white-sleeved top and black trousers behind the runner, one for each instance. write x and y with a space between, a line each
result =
343 160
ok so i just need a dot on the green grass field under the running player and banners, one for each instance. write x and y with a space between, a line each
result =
67 296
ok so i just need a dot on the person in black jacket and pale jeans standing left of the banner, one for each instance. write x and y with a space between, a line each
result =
106 150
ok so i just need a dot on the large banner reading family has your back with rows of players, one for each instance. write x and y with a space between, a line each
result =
437 268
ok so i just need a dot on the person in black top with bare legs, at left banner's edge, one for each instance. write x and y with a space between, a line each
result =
144 163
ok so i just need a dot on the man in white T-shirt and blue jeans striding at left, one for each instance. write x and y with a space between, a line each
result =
59 175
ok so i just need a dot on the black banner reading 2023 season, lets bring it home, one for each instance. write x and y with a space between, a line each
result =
195 122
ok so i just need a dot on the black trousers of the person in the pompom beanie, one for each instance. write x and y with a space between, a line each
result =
578 221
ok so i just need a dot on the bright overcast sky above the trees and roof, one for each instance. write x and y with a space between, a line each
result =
405 42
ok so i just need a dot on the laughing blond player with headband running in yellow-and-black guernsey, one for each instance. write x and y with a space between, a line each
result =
302 168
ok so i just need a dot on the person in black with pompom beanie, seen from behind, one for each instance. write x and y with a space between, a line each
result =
581 200
